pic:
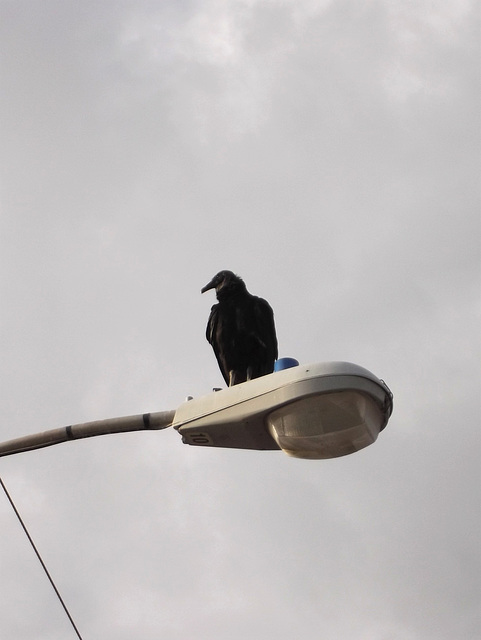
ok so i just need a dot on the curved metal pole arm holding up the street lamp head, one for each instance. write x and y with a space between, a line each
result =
148 421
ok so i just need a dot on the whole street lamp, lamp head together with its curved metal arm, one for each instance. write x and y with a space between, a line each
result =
316 411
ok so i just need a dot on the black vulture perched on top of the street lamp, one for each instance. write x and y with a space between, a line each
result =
241 330
